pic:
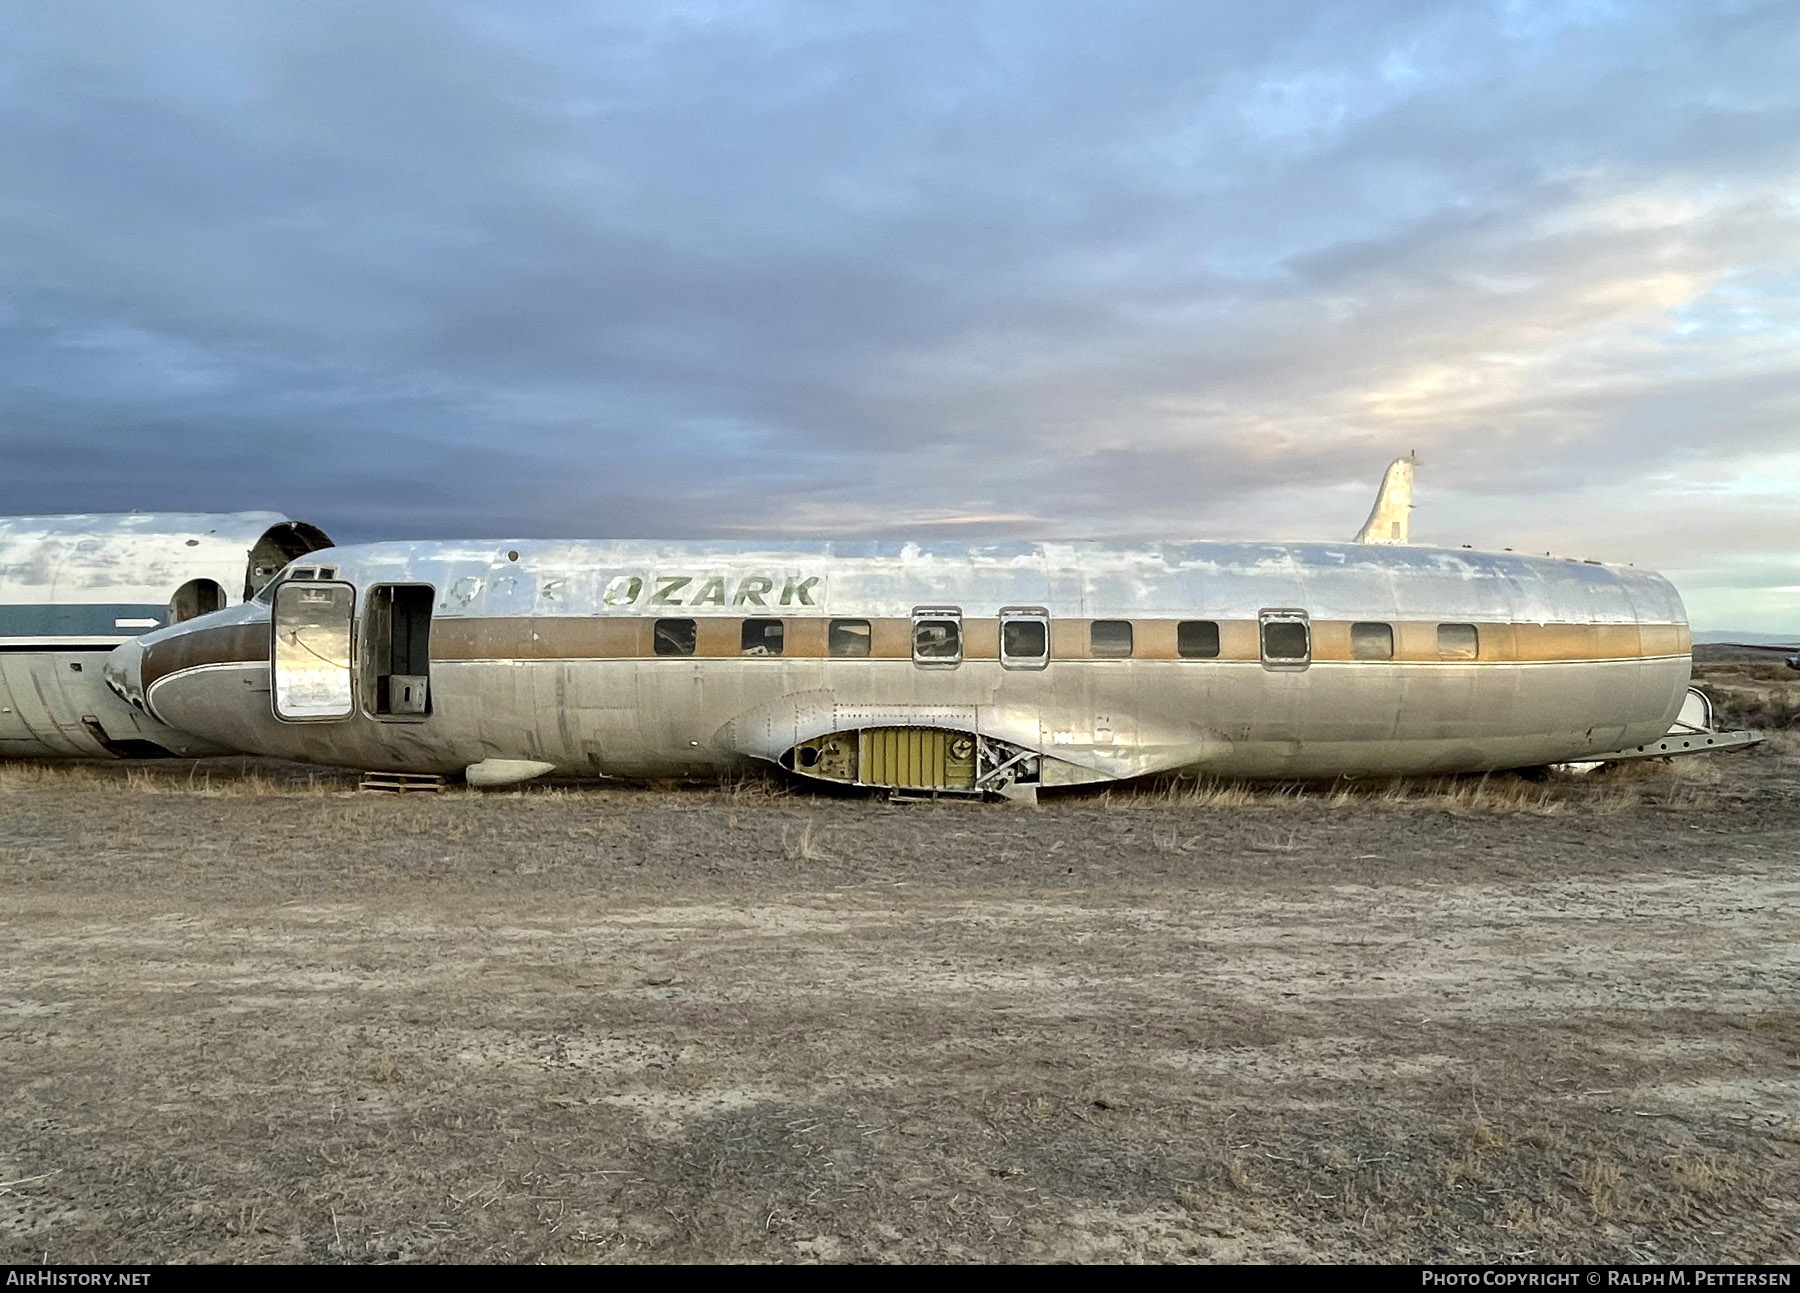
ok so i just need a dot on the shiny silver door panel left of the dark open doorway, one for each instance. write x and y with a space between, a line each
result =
312 631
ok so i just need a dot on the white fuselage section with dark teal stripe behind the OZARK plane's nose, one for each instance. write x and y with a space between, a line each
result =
76 586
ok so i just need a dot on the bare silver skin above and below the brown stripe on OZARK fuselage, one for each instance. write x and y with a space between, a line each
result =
1093 719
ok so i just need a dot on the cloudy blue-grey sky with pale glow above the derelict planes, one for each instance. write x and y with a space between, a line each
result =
987 269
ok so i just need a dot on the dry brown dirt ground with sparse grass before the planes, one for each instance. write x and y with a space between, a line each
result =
247 1015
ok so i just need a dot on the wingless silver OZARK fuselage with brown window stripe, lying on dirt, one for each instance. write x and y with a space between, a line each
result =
654 660
